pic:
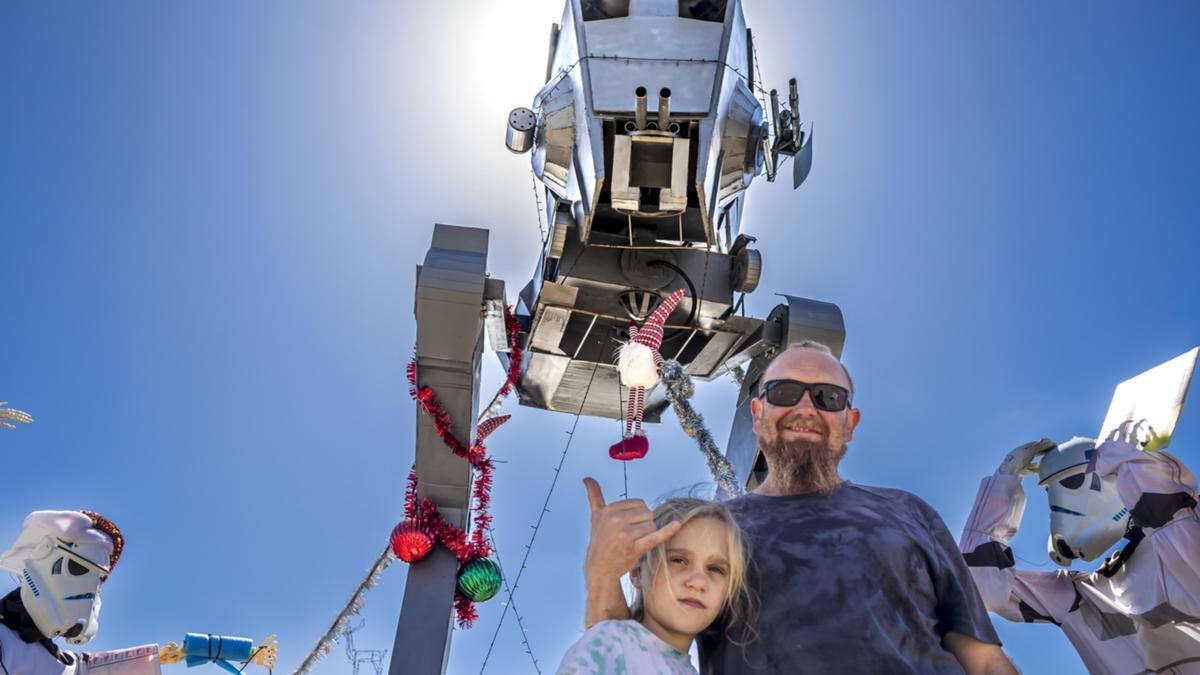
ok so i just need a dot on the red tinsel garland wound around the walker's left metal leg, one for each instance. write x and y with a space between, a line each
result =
428 513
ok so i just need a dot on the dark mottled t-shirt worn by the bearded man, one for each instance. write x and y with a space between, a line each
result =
865 581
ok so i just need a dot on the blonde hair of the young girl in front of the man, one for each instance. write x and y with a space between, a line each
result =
739 599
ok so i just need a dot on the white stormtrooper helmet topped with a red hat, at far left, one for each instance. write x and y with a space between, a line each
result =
62 558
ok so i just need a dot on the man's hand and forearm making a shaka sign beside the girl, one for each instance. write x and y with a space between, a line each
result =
621 534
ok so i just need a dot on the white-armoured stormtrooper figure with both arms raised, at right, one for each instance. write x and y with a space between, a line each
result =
1139 611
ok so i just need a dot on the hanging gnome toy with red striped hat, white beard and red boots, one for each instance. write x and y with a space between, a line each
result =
639 363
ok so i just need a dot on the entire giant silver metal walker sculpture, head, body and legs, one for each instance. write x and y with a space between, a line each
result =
644 141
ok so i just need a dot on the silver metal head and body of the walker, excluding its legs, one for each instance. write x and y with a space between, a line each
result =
646 202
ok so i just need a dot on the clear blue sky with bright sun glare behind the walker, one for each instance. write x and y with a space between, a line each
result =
213 211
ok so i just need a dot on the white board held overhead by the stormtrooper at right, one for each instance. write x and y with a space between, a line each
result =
1154 399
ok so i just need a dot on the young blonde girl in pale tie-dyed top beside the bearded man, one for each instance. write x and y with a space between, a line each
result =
682 588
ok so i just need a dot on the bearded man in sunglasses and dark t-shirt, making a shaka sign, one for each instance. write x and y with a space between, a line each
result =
849 578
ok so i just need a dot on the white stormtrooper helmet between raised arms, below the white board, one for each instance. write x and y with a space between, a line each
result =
1087 513
